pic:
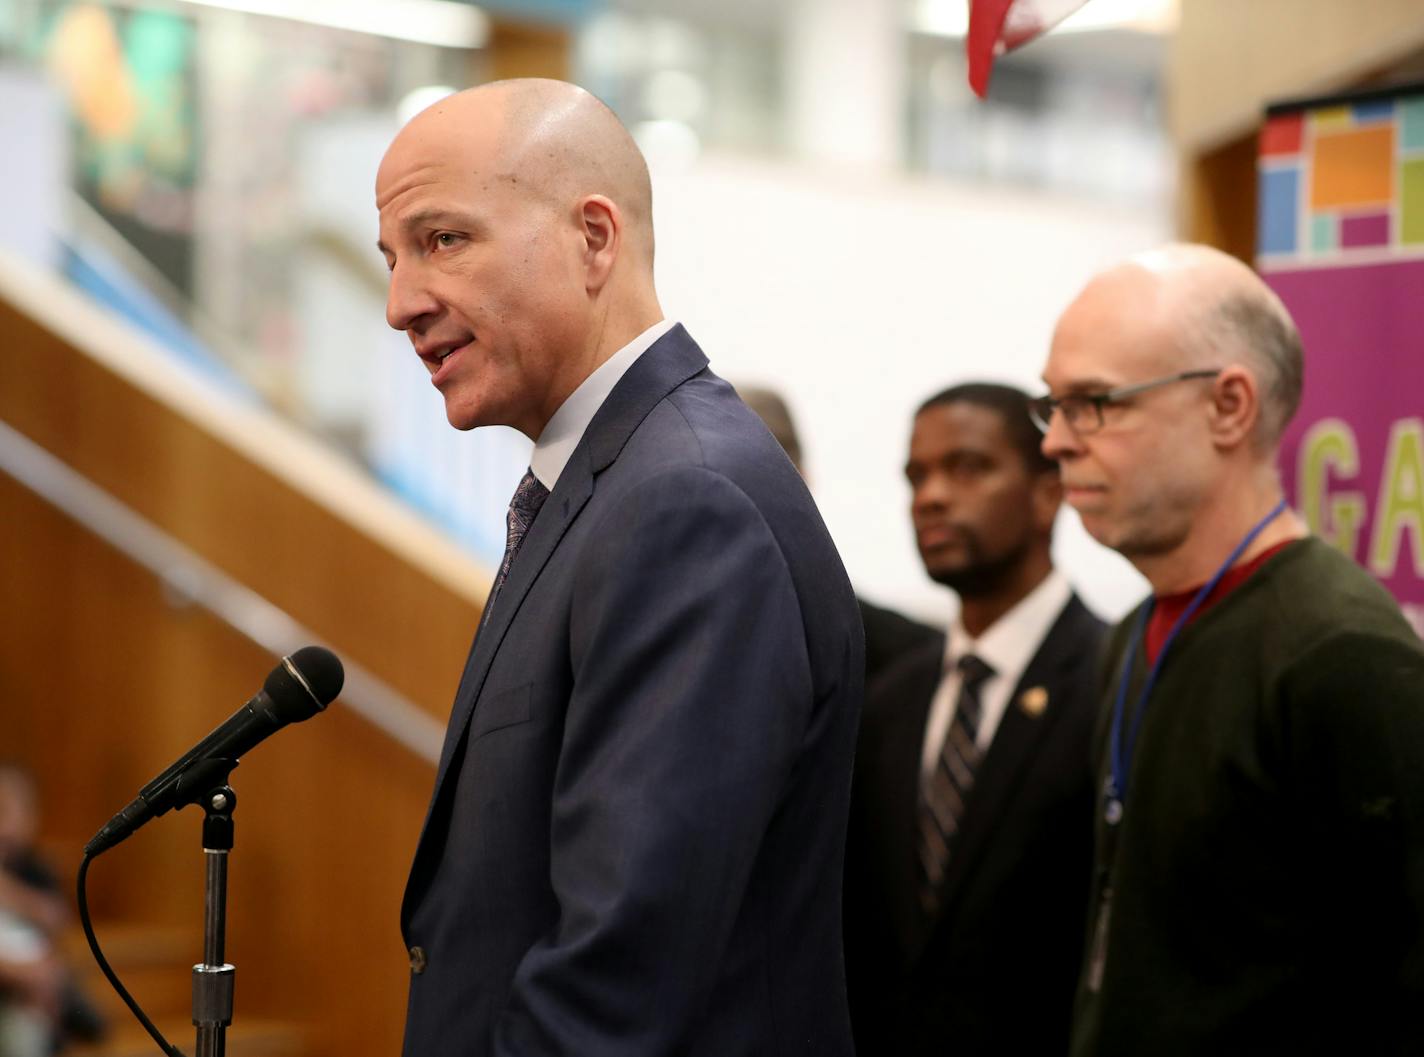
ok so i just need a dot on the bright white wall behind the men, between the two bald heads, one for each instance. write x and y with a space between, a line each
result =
858 297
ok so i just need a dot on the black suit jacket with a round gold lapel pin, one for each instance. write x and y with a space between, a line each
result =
996 972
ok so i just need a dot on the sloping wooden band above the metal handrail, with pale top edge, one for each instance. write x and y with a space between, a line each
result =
379 600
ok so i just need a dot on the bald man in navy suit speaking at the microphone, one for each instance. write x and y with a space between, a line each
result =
642 803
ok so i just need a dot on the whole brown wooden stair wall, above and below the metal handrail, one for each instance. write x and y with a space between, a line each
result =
105 680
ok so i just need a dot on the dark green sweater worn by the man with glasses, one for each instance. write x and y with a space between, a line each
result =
1268 887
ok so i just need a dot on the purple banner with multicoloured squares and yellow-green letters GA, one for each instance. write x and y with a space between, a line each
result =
1341 229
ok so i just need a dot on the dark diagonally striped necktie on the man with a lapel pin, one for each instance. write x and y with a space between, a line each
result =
948 791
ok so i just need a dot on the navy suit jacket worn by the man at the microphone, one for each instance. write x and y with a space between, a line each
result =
636 838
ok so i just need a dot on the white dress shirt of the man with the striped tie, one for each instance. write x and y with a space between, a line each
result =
1007 646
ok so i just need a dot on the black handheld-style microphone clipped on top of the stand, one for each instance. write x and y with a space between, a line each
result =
298 689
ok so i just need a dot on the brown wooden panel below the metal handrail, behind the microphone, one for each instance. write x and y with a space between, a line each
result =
103 683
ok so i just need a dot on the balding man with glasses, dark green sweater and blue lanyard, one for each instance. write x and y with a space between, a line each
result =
1260 882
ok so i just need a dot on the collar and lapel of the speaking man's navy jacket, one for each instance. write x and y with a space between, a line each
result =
670 363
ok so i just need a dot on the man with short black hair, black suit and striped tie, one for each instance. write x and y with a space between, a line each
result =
972 821
